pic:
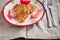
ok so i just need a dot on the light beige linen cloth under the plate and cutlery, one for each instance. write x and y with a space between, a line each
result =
8 31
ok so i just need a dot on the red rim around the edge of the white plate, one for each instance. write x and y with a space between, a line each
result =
44 12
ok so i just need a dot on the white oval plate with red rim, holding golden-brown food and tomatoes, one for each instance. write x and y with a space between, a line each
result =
28 21
